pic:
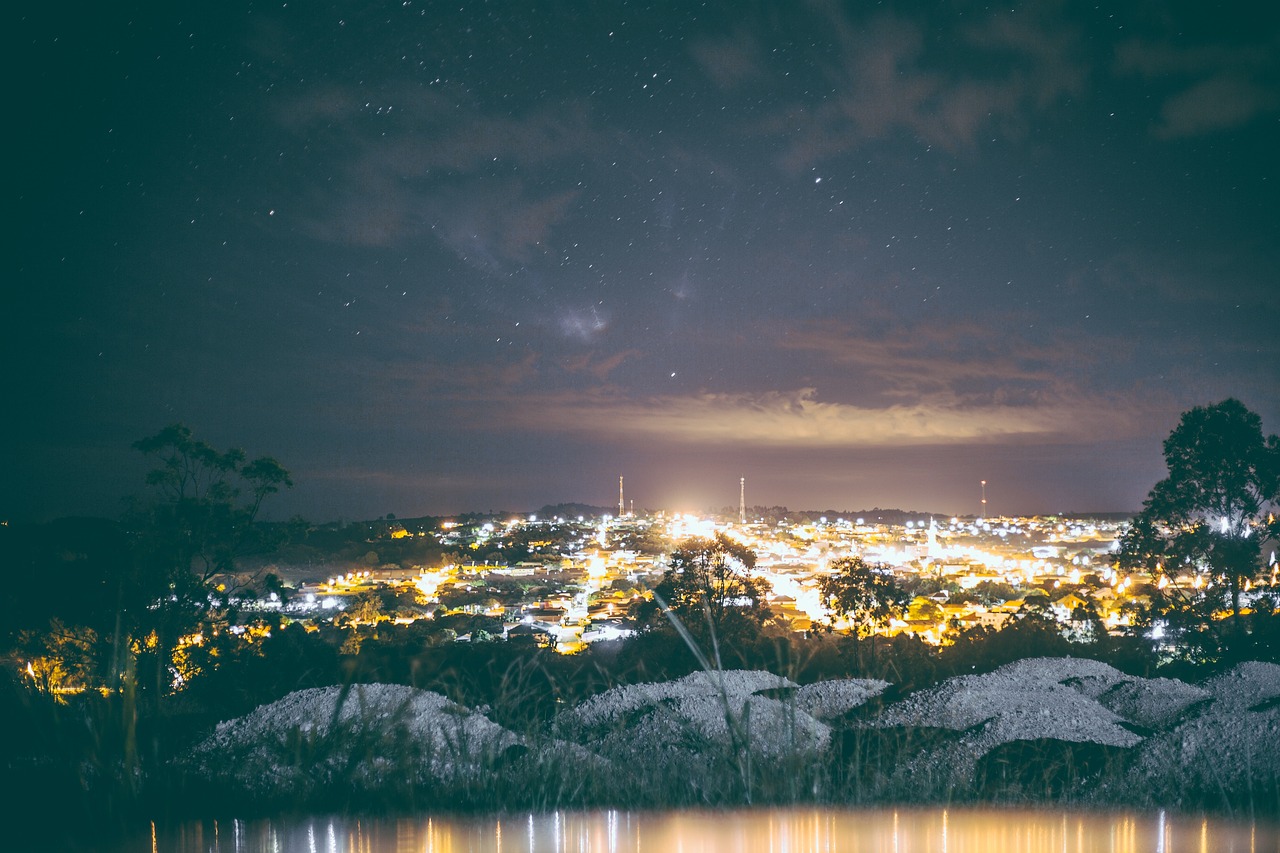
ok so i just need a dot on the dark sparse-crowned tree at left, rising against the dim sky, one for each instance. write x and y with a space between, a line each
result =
198 521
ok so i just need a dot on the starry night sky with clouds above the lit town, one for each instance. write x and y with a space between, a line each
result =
440 258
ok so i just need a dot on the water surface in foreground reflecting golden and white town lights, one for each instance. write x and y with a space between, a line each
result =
801 831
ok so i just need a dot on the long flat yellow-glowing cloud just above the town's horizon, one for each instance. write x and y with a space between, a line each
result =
799 419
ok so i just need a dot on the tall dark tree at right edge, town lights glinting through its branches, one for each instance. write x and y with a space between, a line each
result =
1203 528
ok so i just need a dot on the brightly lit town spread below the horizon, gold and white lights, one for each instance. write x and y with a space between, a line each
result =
568 582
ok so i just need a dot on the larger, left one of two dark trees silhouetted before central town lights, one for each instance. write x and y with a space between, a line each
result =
708 583
